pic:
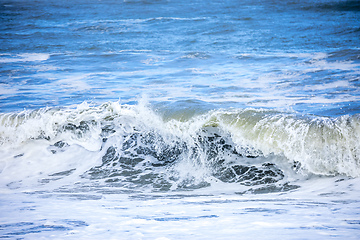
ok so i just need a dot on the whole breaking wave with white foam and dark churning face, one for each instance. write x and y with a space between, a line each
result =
141 147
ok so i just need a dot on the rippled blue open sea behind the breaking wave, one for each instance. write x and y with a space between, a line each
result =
289 55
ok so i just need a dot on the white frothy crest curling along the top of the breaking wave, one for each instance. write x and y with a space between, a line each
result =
320 145
